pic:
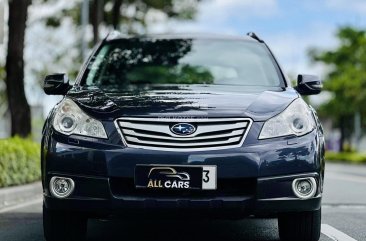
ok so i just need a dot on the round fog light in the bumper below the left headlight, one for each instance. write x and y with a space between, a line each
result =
61 187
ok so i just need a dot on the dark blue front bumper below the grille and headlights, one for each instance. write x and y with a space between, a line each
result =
104 175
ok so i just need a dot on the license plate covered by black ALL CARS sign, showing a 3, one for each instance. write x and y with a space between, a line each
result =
175 177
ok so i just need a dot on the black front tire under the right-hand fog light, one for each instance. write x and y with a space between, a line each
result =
301 226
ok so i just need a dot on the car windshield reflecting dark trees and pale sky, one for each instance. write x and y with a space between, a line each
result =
182 61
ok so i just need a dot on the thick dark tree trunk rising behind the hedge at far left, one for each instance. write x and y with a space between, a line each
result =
18 105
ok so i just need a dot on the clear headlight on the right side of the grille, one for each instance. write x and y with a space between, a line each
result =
296 119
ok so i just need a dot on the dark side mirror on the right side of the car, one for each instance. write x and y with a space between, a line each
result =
308 84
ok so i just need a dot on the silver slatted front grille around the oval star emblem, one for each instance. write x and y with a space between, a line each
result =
210 134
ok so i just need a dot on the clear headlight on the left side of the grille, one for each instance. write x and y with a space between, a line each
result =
70 119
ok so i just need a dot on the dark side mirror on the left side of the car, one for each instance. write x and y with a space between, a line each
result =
56 84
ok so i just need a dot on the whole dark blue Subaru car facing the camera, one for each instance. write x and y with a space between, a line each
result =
182 126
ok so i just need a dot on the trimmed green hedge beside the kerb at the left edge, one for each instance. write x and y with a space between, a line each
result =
19 161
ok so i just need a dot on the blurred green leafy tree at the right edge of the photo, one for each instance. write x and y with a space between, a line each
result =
346 79
